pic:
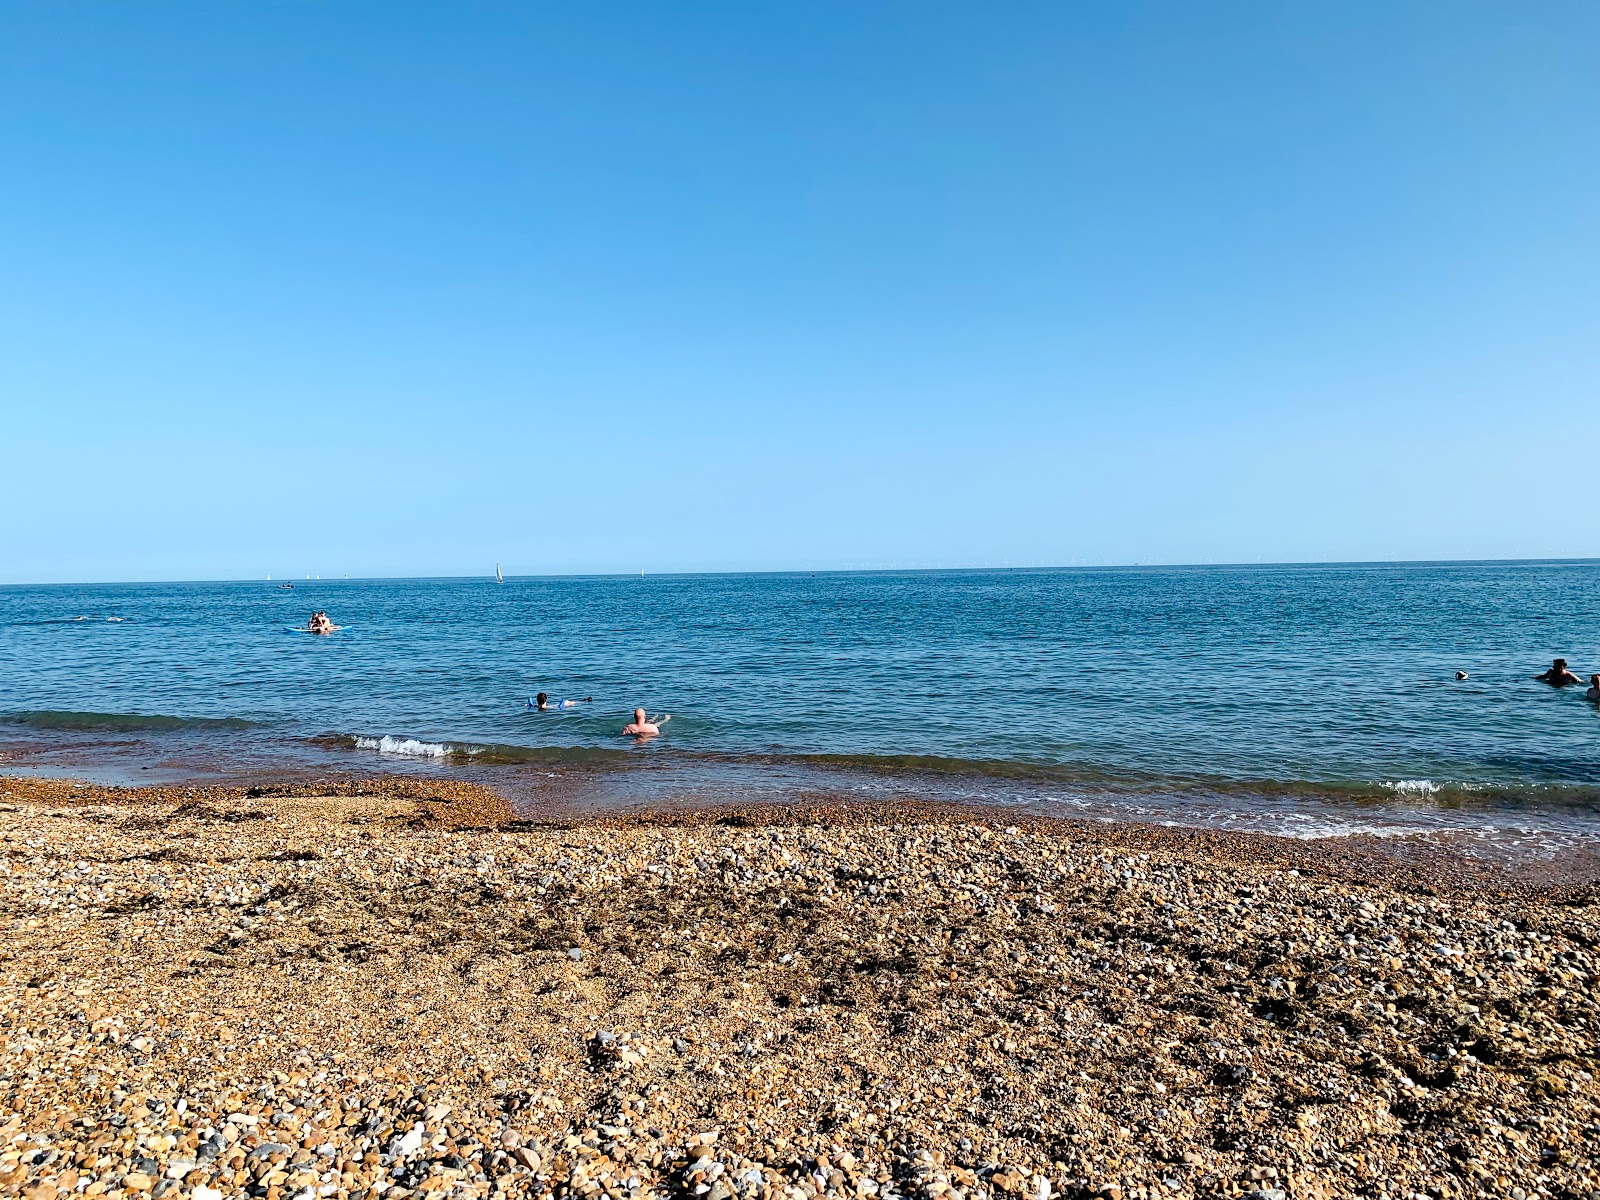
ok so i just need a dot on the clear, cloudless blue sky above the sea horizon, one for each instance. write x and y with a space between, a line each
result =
418 289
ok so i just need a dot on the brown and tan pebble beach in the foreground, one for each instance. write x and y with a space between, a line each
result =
396 988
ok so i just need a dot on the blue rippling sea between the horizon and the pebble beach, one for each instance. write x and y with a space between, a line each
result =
1313 702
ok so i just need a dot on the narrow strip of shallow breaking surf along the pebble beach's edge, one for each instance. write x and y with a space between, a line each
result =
1538 844
